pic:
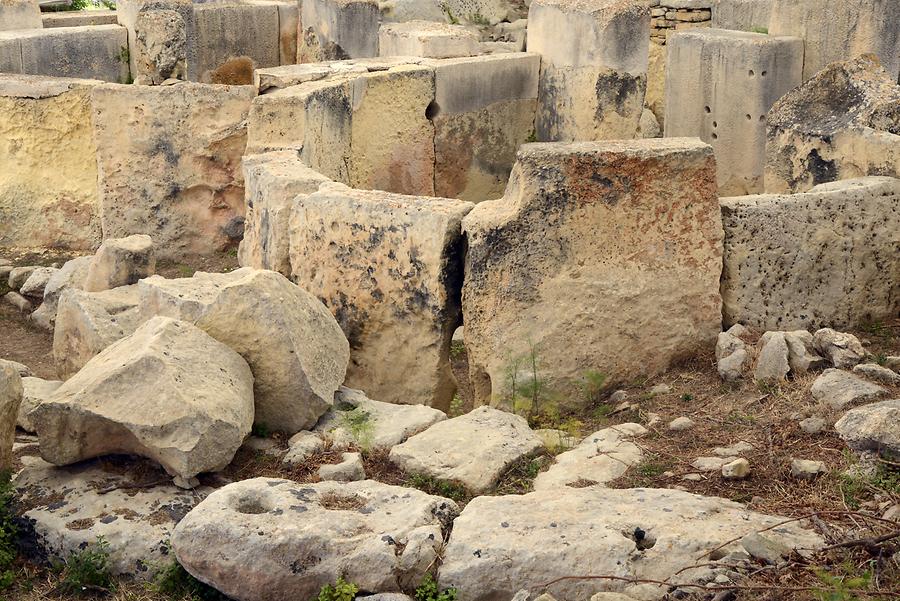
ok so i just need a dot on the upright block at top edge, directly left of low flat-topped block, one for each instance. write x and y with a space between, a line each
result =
337 30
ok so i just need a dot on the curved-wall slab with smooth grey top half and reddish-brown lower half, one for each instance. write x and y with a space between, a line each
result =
483 110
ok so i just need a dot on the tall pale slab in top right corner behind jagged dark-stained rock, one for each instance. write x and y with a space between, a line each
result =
836 30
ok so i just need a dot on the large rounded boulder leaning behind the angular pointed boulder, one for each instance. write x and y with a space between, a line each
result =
294 346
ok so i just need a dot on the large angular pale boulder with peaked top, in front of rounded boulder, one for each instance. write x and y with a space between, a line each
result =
168 392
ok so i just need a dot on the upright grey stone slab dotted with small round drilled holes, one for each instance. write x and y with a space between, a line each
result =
719 86
